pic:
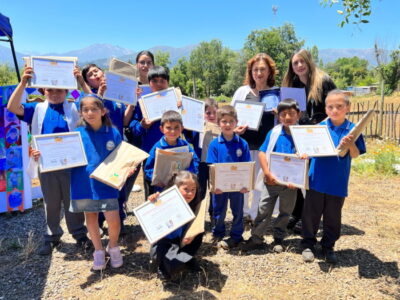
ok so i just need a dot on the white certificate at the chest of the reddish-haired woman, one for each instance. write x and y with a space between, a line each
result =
249 113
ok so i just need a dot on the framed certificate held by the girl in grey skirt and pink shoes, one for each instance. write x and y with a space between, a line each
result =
60 151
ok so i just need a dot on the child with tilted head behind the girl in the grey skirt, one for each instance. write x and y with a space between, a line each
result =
95 82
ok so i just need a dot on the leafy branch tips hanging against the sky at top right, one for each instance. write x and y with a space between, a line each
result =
353 11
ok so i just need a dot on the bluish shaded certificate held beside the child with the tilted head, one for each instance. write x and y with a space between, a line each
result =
120 88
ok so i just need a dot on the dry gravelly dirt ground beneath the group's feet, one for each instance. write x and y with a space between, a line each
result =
368 252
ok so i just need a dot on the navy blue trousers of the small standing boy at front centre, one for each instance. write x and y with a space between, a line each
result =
220 204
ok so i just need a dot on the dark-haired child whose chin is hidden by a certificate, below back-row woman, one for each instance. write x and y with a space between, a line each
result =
149 131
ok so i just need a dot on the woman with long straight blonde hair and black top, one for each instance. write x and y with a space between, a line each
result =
303 73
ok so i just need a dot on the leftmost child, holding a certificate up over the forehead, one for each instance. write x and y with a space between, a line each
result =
54 115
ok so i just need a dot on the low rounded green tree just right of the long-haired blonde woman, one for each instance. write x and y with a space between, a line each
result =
347 71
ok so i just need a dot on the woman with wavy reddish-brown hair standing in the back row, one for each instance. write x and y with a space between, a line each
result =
260 75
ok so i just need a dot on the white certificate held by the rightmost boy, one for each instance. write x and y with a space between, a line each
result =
313 140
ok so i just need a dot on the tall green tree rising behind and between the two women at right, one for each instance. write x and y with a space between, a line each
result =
278 42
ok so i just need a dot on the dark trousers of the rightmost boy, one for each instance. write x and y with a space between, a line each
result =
317 205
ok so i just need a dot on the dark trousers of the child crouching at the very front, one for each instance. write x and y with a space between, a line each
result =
170 257
